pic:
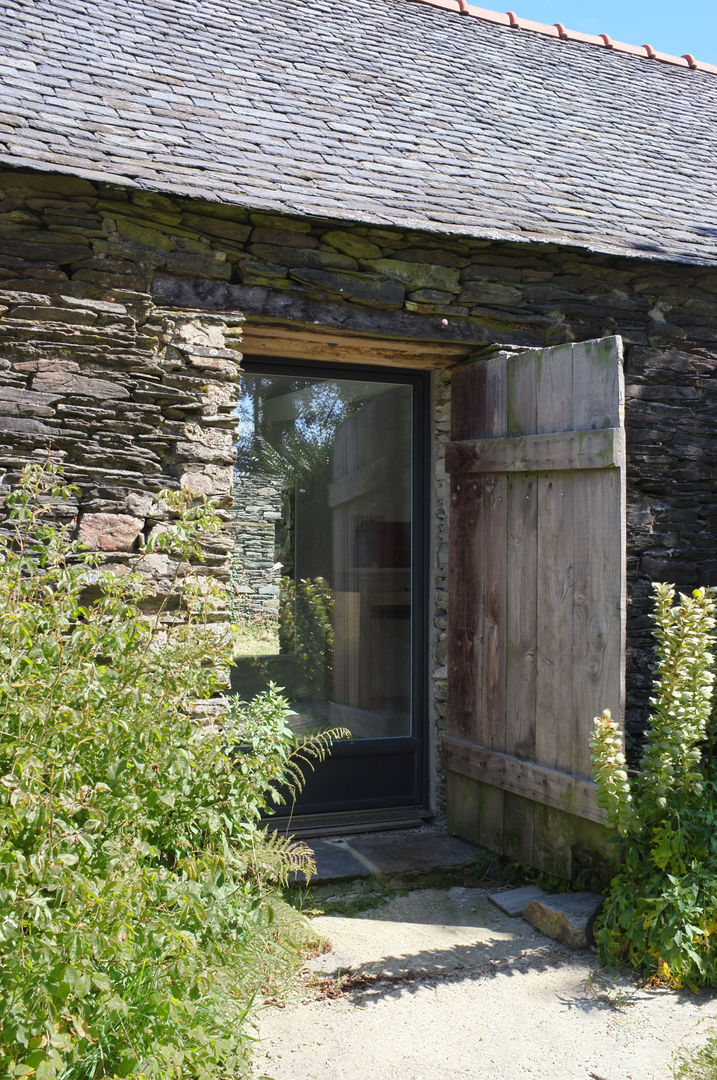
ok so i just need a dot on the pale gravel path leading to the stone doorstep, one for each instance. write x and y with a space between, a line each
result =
440 985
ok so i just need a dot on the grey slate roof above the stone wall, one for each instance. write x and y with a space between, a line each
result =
384 112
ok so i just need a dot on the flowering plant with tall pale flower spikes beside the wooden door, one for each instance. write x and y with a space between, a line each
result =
661 911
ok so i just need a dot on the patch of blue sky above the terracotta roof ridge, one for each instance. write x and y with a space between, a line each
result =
671 26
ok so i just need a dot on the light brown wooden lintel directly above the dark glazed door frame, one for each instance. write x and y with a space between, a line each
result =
324 345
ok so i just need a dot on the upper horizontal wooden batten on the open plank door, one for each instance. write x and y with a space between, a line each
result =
596 449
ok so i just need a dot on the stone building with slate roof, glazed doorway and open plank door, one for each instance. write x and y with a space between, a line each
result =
372 204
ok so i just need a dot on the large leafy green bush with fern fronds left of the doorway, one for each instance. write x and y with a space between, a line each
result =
139 913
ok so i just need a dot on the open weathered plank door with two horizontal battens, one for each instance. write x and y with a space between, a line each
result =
536 593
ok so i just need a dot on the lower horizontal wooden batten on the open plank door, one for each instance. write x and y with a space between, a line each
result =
509 774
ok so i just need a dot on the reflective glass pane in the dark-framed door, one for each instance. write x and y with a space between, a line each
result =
322 559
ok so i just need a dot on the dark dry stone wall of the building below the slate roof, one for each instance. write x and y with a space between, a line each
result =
120 339
